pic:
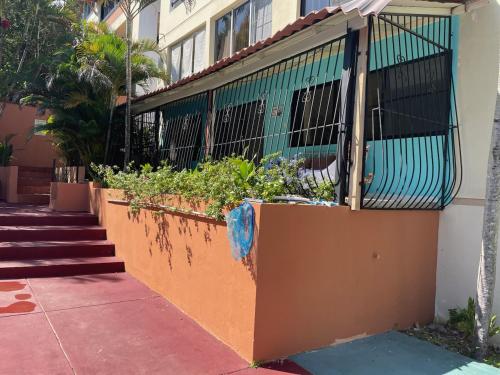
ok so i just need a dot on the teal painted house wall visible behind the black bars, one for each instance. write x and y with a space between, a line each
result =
407 166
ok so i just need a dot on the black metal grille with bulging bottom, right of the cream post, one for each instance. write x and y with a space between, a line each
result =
411 131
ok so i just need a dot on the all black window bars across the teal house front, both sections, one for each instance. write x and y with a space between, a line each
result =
301 108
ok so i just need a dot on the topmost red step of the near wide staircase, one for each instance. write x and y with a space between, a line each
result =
47 218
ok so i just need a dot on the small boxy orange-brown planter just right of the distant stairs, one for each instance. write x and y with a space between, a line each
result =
69 197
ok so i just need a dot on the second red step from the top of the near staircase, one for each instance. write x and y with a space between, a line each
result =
52 233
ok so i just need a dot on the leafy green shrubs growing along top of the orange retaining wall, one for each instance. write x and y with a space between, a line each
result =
220 184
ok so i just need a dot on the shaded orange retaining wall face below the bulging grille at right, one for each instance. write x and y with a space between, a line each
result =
330 274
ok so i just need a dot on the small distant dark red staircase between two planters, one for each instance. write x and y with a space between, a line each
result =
33 185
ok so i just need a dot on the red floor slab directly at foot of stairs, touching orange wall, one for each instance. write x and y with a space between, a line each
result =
68 292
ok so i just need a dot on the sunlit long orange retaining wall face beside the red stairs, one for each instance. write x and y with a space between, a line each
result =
187 260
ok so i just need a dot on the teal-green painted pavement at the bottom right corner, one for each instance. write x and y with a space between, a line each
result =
391 353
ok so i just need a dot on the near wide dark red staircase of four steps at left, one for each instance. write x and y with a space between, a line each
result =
54 244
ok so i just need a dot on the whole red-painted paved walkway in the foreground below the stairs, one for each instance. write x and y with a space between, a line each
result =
107 324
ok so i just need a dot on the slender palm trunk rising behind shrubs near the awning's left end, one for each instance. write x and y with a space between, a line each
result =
131 9
